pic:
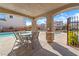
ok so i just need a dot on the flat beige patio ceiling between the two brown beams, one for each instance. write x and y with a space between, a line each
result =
31 9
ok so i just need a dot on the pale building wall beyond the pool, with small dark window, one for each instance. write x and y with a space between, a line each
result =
16 21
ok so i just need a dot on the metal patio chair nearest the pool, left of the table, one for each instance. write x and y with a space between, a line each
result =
19 42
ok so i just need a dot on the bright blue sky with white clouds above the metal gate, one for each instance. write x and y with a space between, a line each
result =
63 16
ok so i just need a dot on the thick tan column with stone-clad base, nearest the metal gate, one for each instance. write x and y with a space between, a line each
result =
50 29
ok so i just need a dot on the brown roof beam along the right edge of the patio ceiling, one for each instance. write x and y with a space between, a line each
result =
58 9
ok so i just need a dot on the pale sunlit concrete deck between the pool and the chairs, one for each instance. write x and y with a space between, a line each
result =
6 44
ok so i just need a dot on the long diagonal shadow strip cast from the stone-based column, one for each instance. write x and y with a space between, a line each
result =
62 50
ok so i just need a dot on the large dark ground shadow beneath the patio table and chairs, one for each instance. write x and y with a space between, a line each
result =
36 51
